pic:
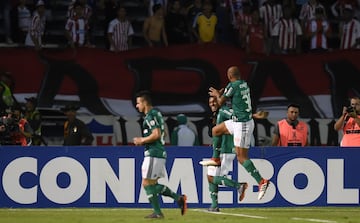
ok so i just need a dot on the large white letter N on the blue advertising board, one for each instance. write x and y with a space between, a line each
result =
122 186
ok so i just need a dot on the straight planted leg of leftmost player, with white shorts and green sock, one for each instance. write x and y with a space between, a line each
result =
149 182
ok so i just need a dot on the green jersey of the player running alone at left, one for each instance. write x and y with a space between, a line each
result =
153 120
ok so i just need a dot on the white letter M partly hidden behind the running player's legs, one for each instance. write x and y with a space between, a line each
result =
181 174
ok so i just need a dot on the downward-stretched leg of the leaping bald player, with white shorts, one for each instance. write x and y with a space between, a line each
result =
242 137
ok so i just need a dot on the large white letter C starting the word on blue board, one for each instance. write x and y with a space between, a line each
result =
11 180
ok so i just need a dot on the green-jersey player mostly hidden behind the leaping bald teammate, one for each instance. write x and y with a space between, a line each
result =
217 175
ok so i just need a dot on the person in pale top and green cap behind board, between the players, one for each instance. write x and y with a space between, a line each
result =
183 135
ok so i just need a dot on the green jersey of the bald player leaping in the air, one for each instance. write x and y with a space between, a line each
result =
239 93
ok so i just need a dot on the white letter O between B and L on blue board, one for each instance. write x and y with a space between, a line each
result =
315 181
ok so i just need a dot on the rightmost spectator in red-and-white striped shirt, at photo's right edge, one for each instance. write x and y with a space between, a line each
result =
349 30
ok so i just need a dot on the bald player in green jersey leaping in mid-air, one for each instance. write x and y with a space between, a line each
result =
241 126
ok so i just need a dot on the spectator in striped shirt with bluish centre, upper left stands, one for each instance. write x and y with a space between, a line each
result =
75 28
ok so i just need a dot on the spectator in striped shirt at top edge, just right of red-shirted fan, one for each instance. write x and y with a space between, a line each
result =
270 13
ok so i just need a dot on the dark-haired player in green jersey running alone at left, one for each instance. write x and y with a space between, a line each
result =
153 166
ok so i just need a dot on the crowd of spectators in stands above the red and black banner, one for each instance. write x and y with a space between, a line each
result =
258 26
